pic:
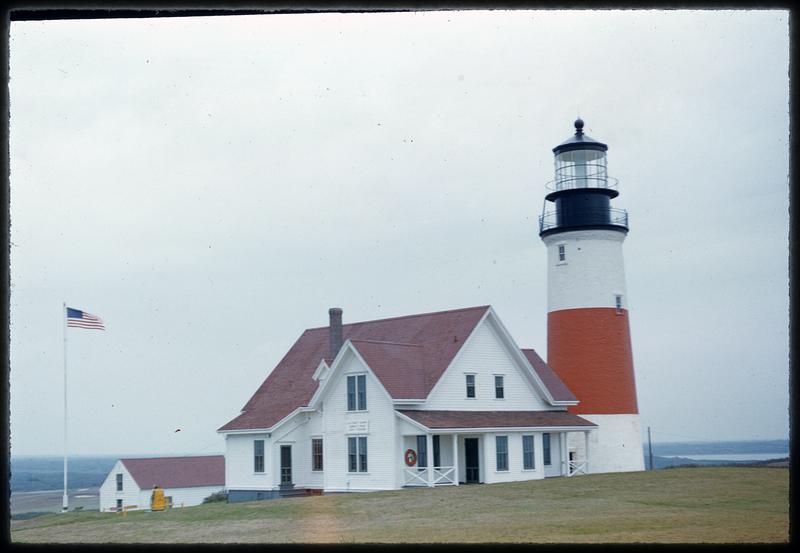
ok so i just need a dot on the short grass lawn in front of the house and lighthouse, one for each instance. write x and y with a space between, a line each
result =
719 504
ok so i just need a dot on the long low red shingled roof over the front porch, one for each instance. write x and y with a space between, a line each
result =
495 419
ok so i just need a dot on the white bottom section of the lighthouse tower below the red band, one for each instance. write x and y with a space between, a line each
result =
615 446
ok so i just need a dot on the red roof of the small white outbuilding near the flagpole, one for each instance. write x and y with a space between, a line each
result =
177 472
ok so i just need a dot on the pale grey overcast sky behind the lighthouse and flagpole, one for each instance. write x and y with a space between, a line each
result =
211 186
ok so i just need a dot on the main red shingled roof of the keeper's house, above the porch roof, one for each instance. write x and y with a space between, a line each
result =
408 354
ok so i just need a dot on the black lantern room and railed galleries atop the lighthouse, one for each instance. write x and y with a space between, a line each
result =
582 189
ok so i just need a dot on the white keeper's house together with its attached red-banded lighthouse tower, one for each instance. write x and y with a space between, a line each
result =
449 398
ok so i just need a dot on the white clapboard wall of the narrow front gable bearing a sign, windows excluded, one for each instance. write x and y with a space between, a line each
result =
381 461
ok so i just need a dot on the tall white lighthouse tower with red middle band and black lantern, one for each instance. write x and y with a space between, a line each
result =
588 336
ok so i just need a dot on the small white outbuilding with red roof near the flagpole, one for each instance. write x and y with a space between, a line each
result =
186 481
